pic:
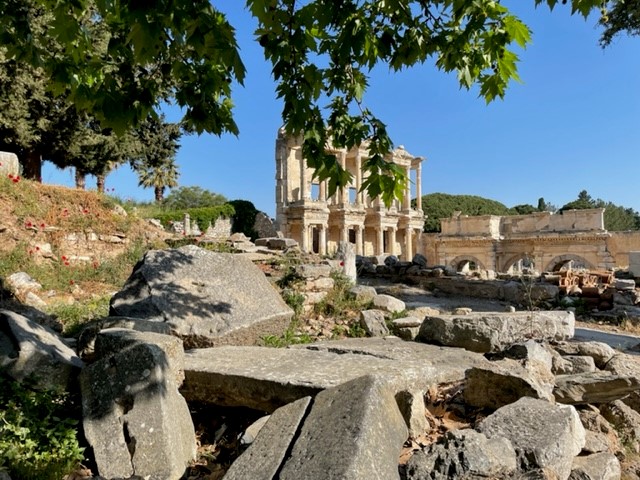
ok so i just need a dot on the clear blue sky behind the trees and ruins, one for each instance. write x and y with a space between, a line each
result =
572 124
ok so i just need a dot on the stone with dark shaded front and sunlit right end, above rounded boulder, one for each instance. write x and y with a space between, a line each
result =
504 382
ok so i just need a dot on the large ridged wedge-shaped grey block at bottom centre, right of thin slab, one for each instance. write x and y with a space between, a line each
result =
353 431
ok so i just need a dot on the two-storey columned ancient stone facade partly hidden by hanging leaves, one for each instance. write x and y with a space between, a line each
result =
305 213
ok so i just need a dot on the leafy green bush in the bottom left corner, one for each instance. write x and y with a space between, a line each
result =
38 432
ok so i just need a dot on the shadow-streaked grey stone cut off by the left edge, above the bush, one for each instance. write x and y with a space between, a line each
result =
28 349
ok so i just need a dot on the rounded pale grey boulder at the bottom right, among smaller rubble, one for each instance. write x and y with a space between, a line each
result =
544 435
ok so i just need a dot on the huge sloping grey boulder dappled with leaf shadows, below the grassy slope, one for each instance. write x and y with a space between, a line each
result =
207 298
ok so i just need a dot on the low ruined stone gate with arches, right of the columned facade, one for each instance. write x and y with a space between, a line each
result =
542 241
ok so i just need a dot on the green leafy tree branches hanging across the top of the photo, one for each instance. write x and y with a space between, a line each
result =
185 52
